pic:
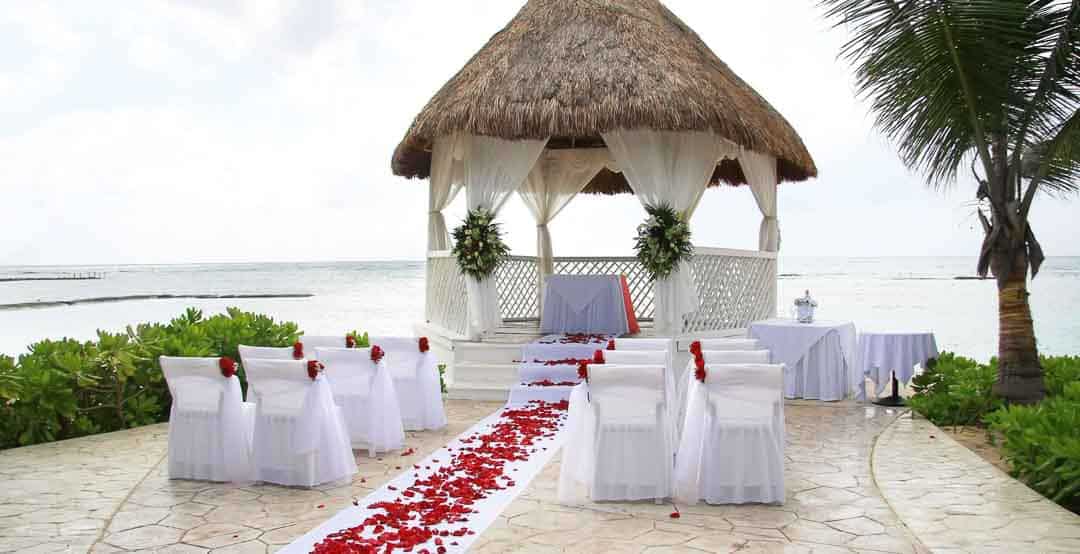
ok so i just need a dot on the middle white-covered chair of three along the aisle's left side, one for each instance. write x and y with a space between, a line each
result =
366 393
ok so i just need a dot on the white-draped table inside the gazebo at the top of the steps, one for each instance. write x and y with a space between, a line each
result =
585 304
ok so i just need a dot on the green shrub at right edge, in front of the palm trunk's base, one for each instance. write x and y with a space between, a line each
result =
1043 445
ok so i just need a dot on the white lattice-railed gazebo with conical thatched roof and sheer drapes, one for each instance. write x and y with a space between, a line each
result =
603 98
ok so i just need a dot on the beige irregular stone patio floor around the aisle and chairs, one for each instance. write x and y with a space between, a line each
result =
859 478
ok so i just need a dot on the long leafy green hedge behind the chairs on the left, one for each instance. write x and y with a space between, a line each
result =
63 389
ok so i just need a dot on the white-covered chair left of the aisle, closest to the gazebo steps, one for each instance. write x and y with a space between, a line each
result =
416 382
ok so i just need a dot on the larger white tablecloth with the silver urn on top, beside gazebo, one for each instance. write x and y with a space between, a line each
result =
819 357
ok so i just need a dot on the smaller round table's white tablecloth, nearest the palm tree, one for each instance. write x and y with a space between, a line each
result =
882 354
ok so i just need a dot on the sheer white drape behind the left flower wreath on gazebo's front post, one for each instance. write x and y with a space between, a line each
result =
494 170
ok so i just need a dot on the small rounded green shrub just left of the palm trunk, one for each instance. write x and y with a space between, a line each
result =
955 391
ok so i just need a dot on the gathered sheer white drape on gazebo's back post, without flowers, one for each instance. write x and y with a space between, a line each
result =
558 177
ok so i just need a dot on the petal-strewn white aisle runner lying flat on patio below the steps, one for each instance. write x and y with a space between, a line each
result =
451 497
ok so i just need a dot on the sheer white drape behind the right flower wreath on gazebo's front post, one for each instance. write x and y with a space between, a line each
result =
672 169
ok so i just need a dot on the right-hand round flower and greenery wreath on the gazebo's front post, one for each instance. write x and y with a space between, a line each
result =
664 241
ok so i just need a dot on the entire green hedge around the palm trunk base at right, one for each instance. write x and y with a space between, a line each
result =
1042 443
